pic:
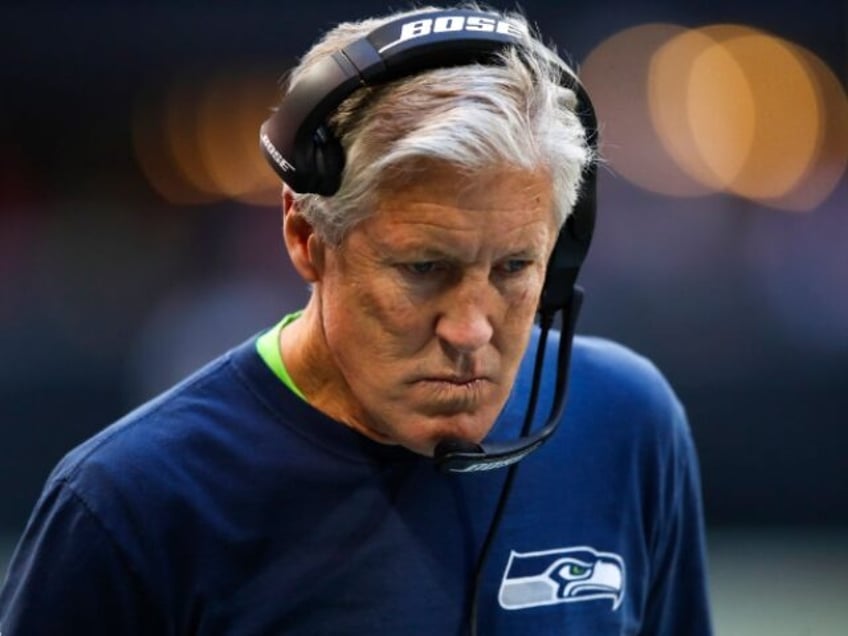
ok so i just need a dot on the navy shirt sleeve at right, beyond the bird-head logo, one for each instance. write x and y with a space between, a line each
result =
678 601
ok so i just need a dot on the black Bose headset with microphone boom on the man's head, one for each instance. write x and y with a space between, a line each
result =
303 151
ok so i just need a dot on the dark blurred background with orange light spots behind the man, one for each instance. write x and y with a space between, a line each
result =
140 237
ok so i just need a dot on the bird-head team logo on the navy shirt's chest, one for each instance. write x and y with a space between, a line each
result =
565 575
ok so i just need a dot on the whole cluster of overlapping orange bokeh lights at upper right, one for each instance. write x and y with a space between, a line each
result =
724 108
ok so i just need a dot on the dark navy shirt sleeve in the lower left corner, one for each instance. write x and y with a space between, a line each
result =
68 576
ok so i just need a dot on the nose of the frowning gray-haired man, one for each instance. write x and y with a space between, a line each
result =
465 324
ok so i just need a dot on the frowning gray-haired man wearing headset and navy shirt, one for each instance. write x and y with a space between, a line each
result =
289 487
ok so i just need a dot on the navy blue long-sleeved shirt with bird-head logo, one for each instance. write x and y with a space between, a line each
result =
229 506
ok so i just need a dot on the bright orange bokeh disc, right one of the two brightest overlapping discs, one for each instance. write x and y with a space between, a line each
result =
783 123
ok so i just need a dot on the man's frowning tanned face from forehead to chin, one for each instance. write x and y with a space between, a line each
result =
421 316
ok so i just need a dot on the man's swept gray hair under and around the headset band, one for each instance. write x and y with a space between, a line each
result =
514 114
